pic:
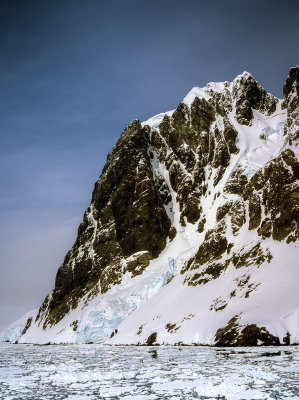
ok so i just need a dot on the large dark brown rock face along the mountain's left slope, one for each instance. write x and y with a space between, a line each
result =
126 216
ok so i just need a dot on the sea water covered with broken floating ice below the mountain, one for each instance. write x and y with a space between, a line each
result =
125 372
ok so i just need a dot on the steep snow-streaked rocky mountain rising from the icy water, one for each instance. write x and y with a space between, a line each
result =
191 235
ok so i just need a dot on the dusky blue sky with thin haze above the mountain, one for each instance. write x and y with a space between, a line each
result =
74 73
